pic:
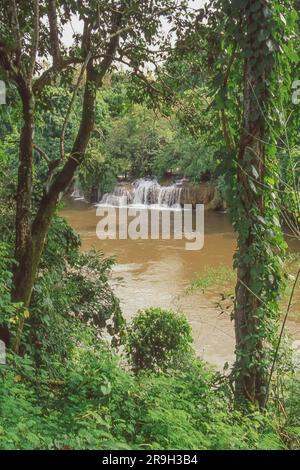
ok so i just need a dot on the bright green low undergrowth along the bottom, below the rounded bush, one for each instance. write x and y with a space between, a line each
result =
92 403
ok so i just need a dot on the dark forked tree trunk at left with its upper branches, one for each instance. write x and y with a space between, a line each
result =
20 66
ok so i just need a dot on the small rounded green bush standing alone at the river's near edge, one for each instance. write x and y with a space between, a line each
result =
158 340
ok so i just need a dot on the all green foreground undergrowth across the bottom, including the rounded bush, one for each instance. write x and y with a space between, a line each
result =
79 395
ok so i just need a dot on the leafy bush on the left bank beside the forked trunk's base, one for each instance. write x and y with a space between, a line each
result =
63 300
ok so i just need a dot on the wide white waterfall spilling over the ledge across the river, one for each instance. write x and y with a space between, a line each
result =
144 192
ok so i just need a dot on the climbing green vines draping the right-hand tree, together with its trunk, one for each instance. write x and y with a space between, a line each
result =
256 46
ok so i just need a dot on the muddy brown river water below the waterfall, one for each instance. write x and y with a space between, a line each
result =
157 273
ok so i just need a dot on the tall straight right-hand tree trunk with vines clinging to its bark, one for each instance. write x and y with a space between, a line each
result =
258 273
